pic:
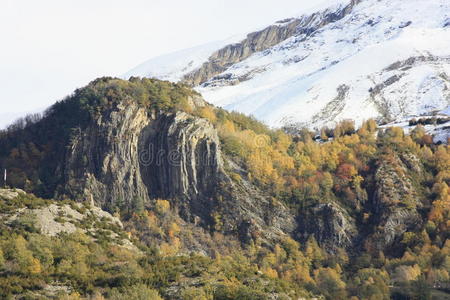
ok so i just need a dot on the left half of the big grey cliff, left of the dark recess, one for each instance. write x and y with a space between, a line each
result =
103 160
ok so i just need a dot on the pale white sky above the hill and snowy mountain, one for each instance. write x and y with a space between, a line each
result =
48 48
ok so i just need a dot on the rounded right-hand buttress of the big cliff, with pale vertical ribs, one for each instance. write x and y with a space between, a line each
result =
180 159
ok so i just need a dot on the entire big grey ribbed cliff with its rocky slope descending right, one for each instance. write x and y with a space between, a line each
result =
128 156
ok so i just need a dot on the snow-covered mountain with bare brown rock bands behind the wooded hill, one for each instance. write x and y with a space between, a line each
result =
358 59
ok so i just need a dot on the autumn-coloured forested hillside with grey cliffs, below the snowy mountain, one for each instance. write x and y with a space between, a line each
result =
241 212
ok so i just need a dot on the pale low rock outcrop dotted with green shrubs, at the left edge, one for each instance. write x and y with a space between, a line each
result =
52 218
